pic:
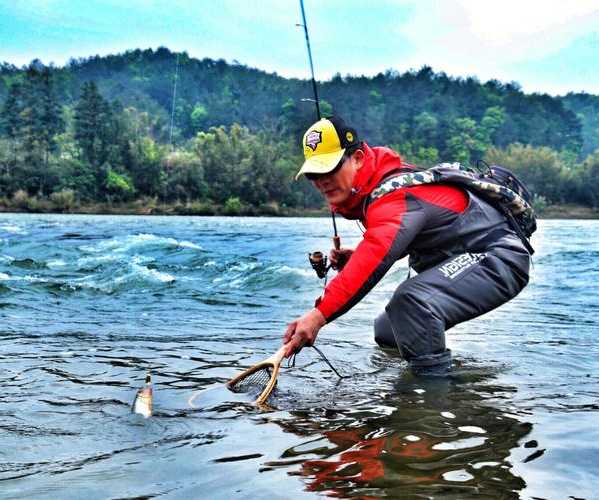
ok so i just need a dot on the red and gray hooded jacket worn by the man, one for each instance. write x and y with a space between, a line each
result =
396 224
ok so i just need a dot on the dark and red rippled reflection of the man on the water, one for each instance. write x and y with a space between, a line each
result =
421 438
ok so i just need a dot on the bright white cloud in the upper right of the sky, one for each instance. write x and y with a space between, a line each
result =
488 39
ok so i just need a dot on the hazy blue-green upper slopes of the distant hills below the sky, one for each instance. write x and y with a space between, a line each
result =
390 108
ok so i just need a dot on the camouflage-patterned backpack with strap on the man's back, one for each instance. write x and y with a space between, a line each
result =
496 185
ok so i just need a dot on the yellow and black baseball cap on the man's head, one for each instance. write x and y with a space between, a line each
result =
324 144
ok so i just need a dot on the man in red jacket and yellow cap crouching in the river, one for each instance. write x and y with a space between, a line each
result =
468 259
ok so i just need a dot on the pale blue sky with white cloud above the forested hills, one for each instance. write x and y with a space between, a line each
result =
545 45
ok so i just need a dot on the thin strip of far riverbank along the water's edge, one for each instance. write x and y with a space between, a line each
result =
270 210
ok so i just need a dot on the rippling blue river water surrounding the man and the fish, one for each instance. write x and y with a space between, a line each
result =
88 304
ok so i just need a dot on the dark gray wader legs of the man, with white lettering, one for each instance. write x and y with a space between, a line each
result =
460 288
